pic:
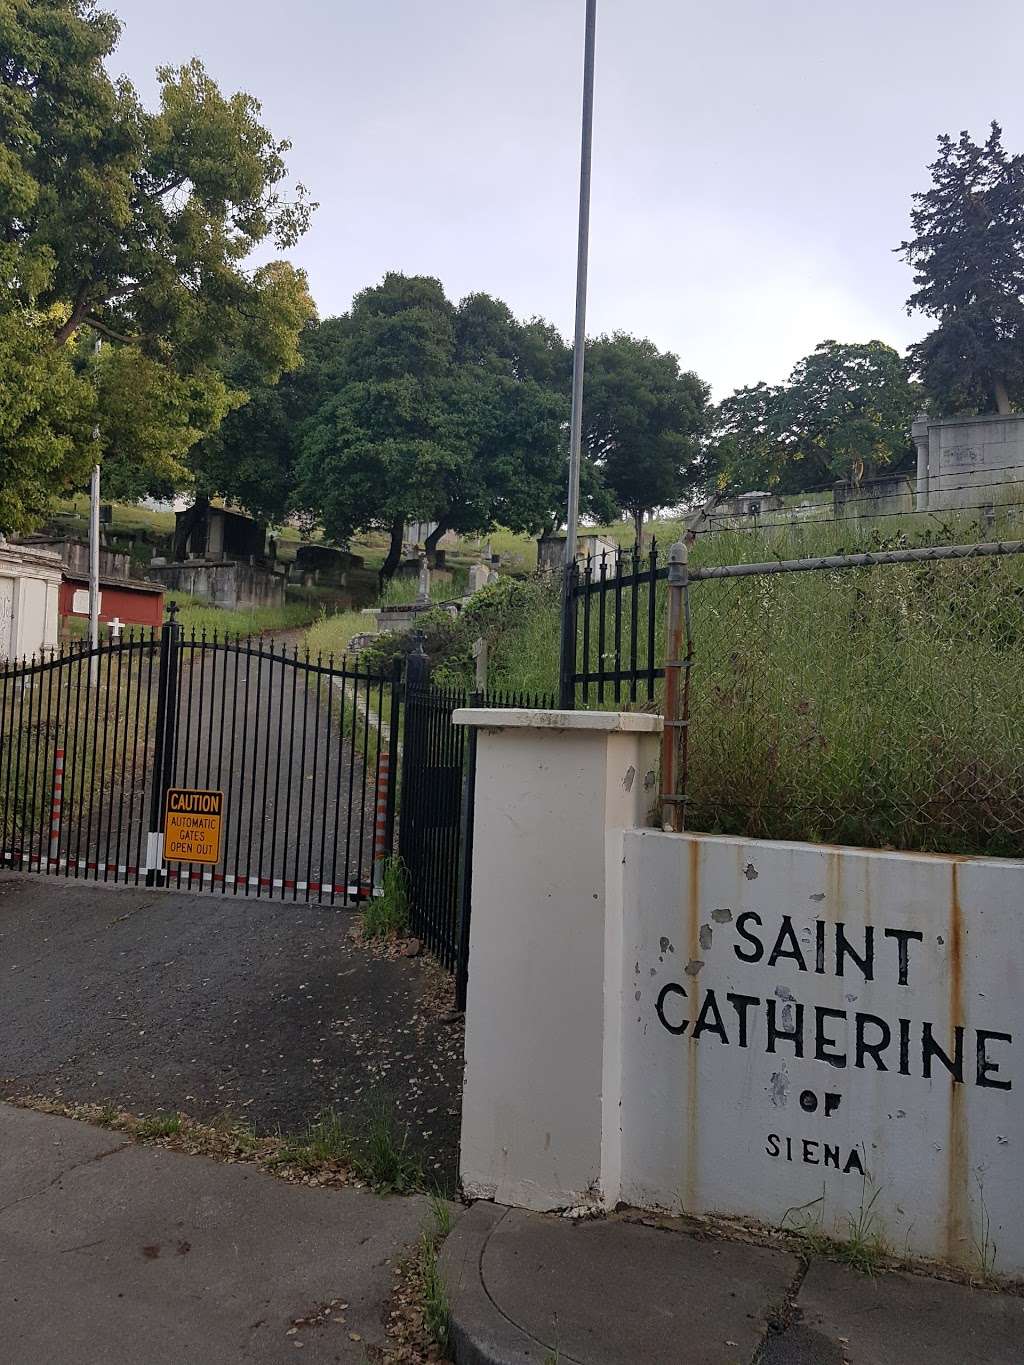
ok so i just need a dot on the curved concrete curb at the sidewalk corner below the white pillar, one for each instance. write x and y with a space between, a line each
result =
481 1334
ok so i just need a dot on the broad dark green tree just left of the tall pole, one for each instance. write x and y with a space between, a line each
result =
433 412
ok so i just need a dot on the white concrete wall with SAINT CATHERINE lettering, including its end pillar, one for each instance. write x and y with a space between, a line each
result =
810 1037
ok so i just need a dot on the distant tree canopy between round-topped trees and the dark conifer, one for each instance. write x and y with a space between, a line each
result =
844 413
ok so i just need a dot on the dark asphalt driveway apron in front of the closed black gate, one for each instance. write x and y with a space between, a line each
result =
165 1001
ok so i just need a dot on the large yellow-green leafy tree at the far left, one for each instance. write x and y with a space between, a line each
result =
136 227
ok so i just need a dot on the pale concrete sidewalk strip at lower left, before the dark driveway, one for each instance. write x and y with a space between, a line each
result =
126 1255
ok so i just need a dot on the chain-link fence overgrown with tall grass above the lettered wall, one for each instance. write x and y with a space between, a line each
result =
879 705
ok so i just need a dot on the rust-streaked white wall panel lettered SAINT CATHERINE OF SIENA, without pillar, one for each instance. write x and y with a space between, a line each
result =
825 1037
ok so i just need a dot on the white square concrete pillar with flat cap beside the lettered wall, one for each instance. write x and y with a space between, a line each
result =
556 792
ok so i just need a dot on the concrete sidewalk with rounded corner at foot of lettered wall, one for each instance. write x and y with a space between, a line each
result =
530 1289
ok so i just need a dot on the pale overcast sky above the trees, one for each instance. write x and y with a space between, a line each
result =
753 159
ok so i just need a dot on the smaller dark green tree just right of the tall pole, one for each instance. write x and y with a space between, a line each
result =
644 422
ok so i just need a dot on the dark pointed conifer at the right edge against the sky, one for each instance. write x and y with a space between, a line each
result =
967 253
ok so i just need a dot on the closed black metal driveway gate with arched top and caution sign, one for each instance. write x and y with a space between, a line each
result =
91 742
